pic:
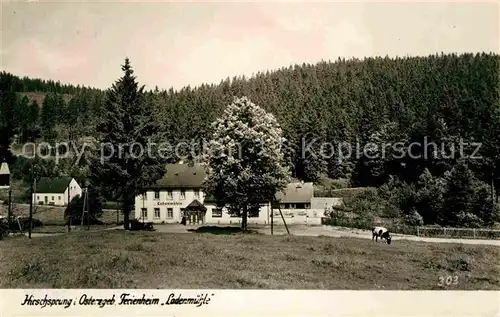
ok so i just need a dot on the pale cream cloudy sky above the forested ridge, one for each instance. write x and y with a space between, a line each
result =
178 44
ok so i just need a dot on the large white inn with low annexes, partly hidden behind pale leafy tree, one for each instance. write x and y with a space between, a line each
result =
180 189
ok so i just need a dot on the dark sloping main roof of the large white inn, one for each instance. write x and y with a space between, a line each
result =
180 176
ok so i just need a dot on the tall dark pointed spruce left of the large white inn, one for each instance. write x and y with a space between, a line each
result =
128 124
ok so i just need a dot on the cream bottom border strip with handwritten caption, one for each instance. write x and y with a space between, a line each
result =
288 303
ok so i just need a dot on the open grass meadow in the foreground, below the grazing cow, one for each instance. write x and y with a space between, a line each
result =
119 259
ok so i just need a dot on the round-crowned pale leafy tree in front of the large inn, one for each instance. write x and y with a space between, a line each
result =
245 163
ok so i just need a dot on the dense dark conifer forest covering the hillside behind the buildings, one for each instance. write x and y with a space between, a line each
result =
446 99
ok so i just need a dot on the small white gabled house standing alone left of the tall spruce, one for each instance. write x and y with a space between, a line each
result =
58 191
